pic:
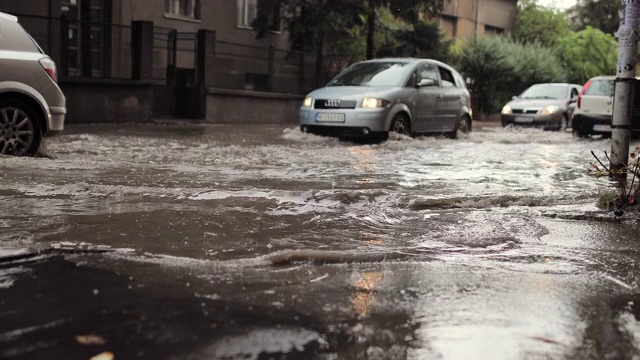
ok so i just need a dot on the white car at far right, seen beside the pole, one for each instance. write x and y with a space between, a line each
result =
594 108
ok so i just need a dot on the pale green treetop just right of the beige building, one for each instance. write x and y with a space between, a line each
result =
538 24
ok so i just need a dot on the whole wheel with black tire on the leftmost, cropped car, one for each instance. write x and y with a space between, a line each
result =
20 132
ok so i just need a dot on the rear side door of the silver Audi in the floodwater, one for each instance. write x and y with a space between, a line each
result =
449 101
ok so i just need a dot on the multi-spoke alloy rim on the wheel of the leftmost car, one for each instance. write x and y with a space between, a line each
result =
16 131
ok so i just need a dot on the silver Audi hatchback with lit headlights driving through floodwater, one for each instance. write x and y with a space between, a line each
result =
372 98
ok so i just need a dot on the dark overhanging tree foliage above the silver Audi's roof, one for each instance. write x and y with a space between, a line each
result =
340 26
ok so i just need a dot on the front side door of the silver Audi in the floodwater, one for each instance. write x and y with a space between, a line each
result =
427 93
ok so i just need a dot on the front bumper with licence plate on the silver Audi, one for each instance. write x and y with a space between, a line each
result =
352 121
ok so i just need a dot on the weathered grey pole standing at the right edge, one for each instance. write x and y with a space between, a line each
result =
624 85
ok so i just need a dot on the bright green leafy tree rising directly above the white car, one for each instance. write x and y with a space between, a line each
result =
588 53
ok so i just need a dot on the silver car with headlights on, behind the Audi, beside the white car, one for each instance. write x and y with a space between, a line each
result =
548 106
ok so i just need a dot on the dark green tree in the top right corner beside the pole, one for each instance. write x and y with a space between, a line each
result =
599 14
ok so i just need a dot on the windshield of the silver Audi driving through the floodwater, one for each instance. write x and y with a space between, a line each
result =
372 74
